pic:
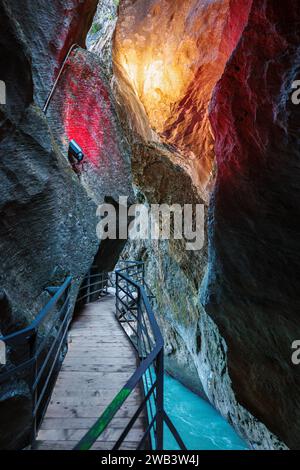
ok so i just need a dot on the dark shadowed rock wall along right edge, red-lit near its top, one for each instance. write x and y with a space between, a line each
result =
252 290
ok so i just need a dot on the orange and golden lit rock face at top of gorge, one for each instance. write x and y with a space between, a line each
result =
172 53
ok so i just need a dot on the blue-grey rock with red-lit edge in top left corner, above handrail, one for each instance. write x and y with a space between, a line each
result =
47 31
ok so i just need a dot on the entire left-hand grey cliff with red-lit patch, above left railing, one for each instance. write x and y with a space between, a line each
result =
47 211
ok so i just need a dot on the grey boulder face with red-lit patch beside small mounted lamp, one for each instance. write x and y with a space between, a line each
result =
82 109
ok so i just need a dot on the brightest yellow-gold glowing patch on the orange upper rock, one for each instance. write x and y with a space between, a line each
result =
159 76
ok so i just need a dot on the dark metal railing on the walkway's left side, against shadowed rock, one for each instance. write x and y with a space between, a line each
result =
34 354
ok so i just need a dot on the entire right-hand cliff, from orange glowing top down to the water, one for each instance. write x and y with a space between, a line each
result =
229 310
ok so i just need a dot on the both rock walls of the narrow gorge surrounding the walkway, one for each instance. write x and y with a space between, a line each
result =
173 102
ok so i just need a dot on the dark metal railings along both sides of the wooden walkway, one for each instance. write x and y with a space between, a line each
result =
35 353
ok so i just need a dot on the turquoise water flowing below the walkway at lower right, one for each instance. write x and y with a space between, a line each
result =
198 423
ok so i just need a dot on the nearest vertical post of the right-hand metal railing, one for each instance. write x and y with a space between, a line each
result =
160 401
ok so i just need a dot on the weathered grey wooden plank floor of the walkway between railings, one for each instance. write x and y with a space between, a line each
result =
99 362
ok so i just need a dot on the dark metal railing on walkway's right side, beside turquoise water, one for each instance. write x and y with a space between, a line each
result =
135 314
